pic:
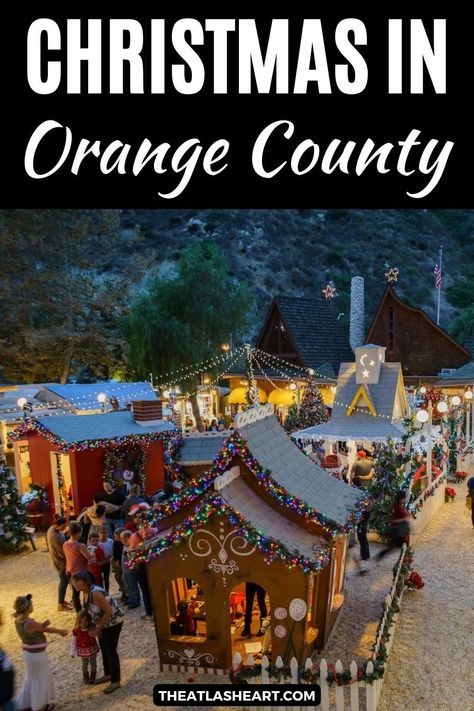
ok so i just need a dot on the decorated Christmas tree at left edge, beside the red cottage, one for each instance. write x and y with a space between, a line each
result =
12 514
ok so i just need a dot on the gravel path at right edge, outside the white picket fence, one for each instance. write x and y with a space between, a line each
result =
431 664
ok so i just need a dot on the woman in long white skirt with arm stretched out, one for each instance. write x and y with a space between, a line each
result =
38 690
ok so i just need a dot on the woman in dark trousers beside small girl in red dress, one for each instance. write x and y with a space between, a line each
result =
107 621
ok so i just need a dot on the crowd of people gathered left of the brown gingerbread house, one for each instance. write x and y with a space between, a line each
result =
84 552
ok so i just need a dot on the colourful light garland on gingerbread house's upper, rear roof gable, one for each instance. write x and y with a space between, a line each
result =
236 446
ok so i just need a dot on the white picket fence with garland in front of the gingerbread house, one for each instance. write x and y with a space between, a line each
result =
354 696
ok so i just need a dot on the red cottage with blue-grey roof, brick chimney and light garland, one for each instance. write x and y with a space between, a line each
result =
71 455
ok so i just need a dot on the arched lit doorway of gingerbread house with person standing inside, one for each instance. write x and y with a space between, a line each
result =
249 610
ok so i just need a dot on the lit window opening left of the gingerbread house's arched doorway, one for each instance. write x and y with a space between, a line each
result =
187 608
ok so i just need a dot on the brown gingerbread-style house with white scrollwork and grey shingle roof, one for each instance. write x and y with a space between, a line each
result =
263 514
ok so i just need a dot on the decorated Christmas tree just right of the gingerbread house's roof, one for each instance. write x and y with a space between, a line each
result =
389 479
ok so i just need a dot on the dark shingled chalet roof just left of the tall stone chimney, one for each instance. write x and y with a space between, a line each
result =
321 341
